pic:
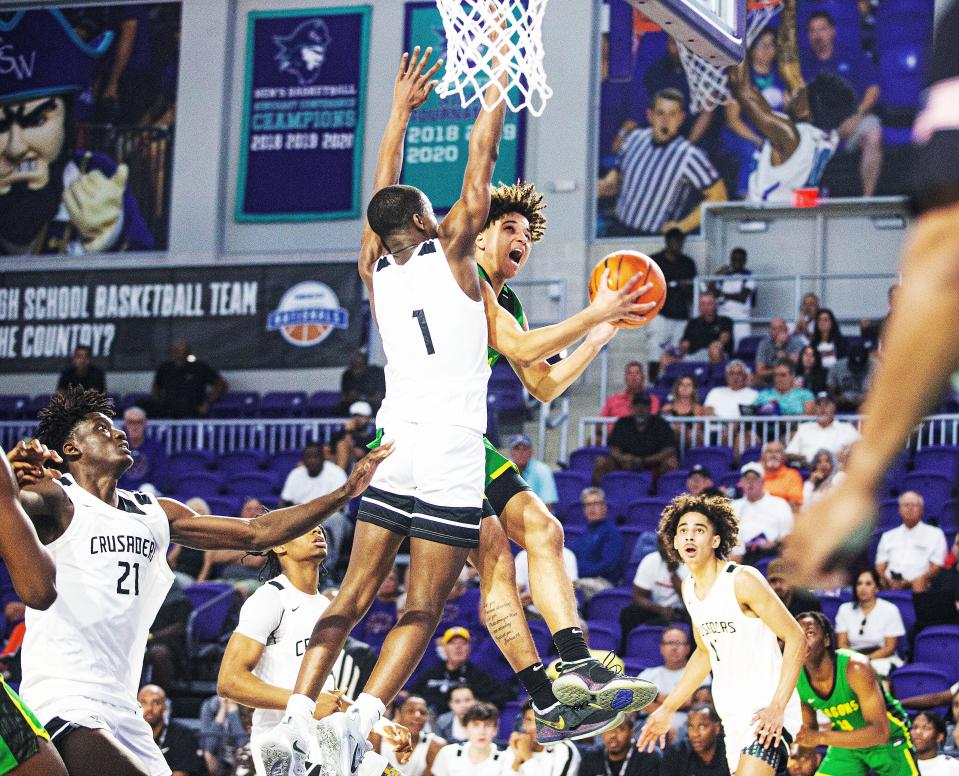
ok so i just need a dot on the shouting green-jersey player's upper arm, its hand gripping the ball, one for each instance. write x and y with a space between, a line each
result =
528 347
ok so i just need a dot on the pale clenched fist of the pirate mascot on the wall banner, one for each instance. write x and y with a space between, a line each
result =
95 205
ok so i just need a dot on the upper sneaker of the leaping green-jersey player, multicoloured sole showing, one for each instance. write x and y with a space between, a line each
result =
589 681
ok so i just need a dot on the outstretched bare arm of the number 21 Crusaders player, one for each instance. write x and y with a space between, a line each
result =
210 532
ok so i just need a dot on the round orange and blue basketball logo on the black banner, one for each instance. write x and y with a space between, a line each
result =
307 314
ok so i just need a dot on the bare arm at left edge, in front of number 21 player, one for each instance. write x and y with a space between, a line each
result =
30 565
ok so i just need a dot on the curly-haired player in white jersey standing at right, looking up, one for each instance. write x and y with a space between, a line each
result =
737 619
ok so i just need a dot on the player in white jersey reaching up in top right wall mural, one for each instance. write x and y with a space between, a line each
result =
797 146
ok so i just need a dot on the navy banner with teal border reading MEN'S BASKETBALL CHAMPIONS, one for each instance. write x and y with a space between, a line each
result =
301 143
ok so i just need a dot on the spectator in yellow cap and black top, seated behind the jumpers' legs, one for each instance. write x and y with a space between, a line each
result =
456 670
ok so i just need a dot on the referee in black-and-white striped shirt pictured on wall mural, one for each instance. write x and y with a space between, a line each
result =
660 176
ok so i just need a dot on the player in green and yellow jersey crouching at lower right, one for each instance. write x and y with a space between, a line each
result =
870 730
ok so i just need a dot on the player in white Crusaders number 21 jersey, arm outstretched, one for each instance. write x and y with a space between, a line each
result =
82 657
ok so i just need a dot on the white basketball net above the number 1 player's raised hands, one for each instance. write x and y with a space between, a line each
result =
485 38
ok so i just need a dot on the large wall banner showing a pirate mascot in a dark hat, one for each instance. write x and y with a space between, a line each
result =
87 106
